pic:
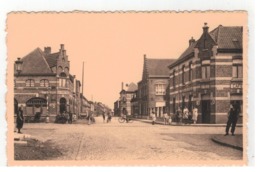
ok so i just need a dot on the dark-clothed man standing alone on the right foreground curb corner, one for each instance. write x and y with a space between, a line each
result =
232 119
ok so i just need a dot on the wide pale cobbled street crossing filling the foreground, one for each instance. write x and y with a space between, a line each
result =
132 141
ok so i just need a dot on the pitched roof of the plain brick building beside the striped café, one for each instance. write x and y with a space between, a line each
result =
158 67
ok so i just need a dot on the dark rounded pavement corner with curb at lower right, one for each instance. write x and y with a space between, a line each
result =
235 141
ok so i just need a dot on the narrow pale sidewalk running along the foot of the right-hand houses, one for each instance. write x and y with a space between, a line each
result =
161 122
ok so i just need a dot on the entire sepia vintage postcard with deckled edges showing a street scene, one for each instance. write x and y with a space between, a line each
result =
157 88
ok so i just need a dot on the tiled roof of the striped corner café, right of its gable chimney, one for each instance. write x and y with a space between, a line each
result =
228 37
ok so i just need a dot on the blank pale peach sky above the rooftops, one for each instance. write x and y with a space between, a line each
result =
112 45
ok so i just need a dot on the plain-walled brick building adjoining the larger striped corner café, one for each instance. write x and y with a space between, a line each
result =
152 88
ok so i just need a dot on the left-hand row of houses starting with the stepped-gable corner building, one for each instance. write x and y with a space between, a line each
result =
43 84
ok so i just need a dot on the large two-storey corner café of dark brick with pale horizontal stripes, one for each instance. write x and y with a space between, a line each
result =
209 74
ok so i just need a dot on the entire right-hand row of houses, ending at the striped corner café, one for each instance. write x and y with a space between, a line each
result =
207 75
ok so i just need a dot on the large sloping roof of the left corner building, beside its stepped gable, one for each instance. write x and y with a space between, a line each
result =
35 63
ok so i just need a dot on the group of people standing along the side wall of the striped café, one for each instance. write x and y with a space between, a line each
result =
181 116
